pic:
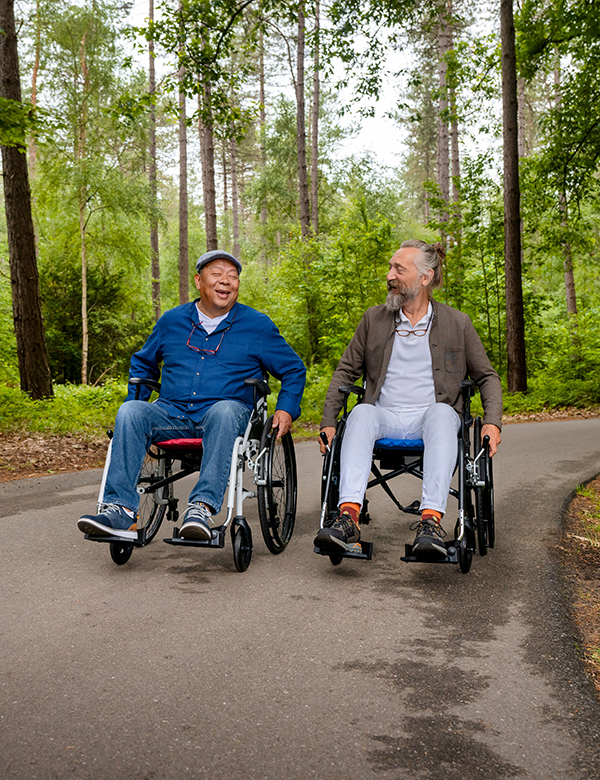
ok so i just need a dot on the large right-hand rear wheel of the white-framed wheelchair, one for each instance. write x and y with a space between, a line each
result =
277 498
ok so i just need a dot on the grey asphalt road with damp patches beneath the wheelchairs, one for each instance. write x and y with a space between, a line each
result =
177 666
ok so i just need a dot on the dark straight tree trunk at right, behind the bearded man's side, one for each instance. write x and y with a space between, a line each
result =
515 321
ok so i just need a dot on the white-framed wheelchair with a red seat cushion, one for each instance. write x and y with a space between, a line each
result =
271 461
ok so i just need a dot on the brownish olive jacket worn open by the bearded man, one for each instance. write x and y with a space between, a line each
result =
456 354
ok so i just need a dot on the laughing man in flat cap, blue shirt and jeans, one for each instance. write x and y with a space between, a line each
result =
202 352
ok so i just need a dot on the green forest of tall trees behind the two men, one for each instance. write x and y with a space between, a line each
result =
149 134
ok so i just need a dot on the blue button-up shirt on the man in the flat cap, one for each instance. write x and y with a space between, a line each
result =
244 344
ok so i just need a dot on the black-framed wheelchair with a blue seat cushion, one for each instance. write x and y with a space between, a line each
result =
474 529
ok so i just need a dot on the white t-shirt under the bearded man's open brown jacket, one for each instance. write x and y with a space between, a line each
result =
408 384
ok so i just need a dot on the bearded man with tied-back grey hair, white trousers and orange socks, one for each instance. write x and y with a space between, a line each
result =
413 352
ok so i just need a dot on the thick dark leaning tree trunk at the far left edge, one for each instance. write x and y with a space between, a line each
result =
32 355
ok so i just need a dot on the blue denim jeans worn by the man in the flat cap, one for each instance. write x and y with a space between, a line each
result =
139 424
